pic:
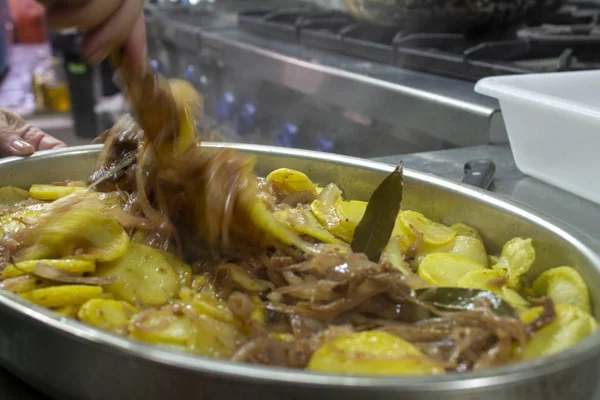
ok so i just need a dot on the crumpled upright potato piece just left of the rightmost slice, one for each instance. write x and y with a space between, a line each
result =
517 257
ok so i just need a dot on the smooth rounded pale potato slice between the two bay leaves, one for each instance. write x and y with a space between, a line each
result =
445 270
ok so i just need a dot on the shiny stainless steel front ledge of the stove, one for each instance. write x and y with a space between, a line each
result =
398 96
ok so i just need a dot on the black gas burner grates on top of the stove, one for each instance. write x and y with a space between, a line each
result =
568 39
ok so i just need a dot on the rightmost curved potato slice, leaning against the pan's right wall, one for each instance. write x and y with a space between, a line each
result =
564 286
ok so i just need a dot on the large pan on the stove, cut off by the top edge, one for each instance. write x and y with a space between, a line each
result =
447 15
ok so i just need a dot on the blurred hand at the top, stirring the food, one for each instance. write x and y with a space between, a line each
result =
107 24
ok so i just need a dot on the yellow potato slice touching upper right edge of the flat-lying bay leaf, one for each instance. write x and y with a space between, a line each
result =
490 280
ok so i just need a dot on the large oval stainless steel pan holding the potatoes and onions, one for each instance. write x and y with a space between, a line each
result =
70 360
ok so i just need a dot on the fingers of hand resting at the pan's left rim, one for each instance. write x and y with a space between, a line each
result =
19 138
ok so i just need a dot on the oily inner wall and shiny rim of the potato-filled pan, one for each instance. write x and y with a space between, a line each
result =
437 198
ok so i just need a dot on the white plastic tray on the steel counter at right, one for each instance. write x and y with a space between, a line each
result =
553 125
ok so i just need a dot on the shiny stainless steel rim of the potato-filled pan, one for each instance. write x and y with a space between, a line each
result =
585 350
